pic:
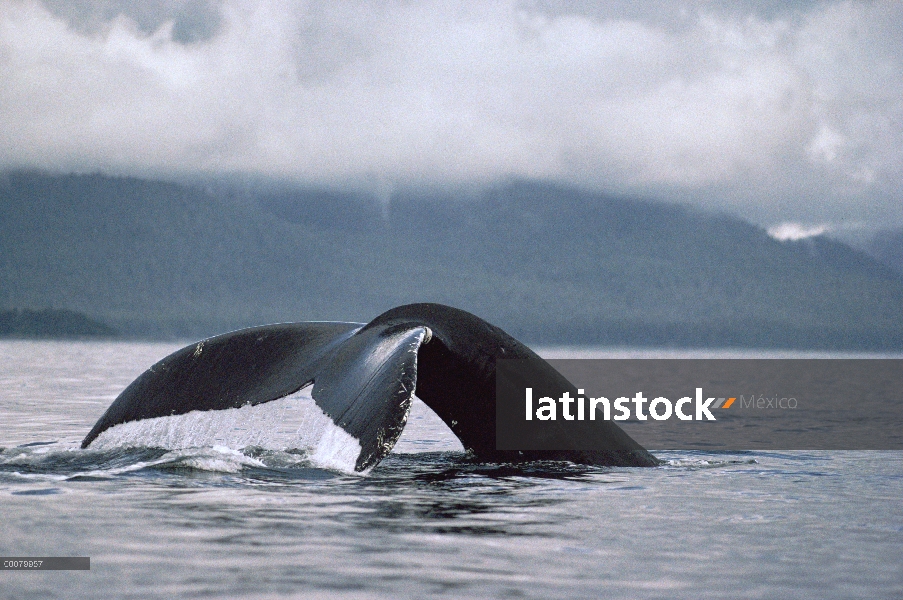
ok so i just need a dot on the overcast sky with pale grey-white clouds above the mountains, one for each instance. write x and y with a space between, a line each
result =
779 112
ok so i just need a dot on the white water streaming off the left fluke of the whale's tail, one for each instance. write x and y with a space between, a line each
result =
291 423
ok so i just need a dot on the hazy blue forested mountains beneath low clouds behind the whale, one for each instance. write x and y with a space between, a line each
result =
548 263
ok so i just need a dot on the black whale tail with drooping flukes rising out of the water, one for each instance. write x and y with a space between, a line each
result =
364 378
